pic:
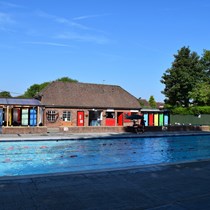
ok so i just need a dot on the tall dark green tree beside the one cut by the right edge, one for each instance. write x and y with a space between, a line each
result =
186 71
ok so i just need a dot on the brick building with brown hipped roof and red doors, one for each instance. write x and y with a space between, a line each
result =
83 107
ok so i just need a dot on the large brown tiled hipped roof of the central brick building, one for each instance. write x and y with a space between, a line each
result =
84 95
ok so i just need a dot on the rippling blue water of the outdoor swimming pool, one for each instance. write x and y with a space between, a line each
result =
40 157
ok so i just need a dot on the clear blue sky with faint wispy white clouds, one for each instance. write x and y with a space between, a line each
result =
129 43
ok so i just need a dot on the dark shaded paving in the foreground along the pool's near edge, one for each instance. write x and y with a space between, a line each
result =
178 186
